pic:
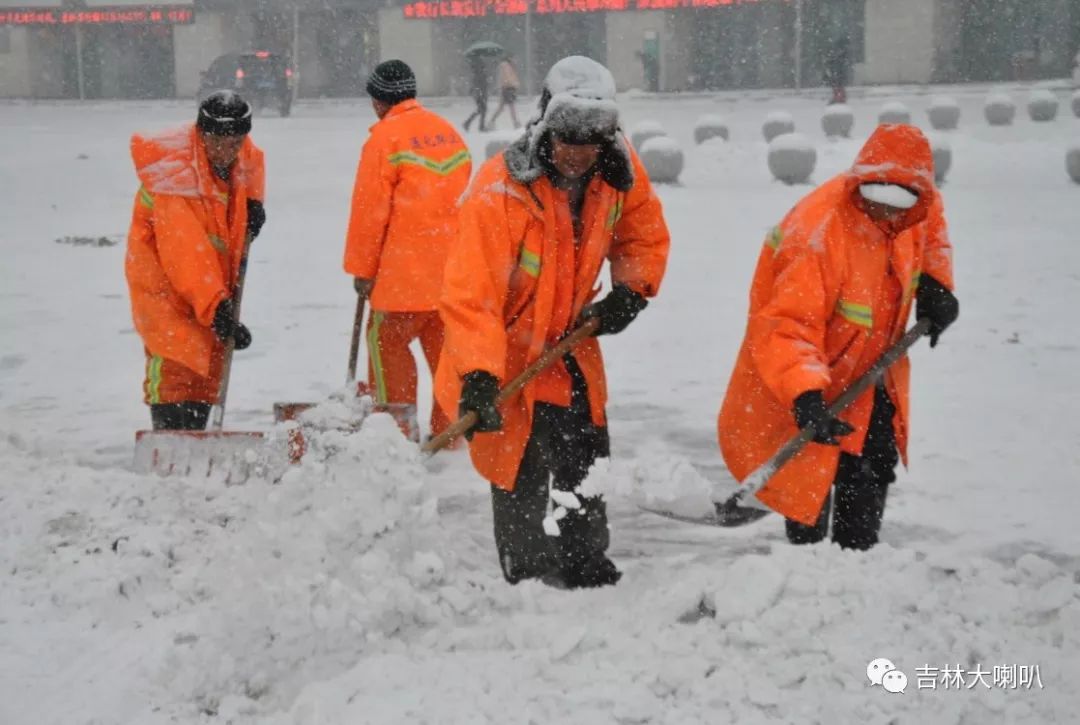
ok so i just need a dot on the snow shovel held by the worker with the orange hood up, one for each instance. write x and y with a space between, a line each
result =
731 514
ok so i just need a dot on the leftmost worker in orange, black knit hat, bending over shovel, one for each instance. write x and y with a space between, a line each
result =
201 196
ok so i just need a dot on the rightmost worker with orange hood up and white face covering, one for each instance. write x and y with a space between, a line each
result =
833 291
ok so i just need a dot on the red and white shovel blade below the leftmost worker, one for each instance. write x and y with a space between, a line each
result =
197 452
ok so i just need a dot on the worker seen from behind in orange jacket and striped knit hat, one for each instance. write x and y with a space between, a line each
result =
413 170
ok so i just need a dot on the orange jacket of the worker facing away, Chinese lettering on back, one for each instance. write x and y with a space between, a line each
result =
413 171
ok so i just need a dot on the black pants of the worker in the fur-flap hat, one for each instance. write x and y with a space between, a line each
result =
563 446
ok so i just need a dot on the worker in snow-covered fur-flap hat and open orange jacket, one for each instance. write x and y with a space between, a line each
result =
537 226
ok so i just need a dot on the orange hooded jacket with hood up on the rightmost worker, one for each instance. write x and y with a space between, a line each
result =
832 292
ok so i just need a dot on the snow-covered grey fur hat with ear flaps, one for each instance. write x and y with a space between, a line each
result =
577 106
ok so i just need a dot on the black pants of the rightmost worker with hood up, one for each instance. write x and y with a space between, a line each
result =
860 488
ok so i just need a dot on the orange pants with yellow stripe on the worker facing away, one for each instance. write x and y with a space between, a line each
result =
391 369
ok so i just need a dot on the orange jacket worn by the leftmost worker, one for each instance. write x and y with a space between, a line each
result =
185 244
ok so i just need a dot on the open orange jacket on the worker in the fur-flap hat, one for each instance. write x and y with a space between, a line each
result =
502 292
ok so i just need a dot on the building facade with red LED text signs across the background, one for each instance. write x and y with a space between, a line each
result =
107 49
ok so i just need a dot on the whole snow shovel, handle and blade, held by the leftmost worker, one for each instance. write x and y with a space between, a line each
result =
192 452
